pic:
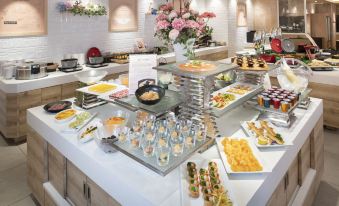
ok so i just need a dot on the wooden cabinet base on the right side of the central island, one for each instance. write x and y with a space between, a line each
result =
301 182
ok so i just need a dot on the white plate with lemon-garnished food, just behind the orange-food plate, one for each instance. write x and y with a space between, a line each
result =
255 139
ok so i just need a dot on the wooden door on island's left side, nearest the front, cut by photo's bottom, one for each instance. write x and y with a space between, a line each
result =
98 197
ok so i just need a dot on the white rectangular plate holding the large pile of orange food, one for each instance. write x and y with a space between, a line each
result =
255 151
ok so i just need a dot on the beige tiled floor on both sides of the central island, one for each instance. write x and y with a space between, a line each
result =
15 192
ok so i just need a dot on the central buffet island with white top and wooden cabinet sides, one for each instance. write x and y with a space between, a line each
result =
118 179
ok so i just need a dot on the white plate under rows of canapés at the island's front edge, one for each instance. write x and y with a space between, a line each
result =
186 200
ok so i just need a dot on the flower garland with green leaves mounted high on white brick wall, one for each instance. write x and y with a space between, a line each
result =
78 9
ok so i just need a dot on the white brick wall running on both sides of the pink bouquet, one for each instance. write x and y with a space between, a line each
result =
75 34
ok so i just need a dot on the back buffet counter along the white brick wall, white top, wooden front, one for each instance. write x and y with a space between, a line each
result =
19 95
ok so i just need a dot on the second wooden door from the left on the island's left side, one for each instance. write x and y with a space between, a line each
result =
56 170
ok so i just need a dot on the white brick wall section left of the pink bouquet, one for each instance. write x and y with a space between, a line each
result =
71 34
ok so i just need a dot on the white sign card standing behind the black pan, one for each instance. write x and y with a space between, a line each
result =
141 71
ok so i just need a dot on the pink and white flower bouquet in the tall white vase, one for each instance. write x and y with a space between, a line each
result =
178 27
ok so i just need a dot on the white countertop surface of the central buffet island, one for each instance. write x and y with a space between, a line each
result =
130 183
